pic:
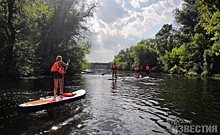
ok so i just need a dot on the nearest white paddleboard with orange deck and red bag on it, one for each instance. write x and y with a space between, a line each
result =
43 102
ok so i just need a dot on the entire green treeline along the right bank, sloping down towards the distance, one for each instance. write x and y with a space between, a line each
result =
192 47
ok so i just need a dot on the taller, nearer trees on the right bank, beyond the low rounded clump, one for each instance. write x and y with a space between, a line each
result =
195 46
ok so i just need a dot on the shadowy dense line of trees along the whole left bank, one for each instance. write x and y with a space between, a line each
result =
34 32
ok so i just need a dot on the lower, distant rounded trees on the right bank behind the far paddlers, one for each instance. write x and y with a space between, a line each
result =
141 54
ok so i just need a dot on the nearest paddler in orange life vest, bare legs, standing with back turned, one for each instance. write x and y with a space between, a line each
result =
58 70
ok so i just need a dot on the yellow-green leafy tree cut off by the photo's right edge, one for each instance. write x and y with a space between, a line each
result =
209 20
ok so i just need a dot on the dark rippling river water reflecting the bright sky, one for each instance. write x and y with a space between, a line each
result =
161 104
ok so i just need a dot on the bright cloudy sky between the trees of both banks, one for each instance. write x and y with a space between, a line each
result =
120 24
